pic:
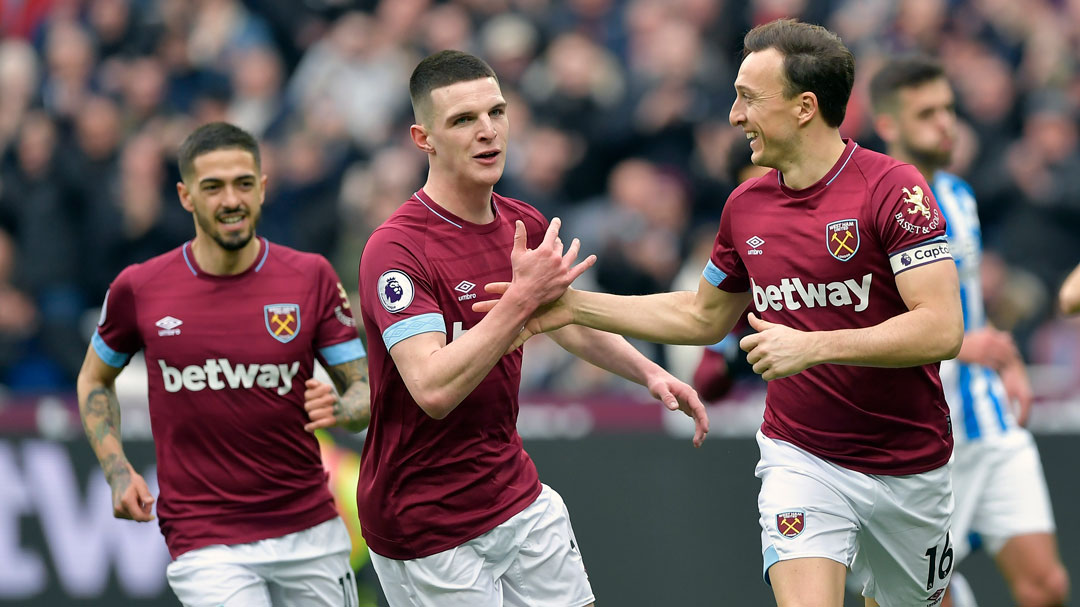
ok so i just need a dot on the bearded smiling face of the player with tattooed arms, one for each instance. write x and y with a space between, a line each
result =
225 193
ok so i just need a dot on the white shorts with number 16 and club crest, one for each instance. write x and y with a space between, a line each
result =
892 532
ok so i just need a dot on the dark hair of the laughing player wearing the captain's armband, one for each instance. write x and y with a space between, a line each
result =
816 61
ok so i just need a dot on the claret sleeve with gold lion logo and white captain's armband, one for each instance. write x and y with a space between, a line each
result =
910 224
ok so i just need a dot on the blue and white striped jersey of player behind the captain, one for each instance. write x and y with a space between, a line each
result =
977 398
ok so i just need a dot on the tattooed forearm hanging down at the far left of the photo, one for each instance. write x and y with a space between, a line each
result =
101 420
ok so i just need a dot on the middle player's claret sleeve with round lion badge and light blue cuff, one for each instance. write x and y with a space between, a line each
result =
395 281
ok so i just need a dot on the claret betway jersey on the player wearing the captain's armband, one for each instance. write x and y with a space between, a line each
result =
826 258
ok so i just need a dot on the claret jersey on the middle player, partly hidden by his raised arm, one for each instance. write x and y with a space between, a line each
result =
428 485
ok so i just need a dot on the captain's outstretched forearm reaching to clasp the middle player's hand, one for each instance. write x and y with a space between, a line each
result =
663 318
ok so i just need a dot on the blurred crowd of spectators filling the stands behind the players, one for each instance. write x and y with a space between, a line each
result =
619 117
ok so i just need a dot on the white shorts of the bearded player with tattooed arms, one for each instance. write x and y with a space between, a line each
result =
308 568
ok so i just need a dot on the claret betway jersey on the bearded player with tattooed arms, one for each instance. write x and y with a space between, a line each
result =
227 358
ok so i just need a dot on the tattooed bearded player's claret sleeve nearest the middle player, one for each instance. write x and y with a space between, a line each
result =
336 339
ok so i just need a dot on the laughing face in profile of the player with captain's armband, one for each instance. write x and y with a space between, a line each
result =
762 110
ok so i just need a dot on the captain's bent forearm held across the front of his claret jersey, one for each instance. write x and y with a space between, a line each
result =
914 339
